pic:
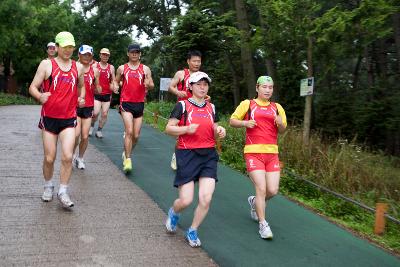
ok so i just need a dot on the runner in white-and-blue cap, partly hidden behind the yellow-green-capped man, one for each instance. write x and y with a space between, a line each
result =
85 114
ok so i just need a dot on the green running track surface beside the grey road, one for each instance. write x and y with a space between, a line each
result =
228 235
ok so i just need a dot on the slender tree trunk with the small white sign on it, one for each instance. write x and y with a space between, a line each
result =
308 106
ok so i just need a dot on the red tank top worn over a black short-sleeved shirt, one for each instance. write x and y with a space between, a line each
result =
204 136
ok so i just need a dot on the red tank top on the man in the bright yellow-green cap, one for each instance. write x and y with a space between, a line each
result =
63 87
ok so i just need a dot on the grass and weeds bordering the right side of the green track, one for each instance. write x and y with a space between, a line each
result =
342 166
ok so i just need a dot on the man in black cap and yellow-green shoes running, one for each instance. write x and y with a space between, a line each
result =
136 79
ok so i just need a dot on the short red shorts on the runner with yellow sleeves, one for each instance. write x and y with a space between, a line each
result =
262 161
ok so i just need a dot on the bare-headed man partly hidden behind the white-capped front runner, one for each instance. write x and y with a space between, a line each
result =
179 83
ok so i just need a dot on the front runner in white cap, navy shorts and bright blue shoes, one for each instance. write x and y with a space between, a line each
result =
194 122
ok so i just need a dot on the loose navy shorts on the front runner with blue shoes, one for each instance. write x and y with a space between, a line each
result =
195 163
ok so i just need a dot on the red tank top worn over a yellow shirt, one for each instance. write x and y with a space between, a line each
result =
266 131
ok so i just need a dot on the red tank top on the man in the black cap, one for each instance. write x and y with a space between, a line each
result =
133 89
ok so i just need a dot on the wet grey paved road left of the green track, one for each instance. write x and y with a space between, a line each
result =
114 223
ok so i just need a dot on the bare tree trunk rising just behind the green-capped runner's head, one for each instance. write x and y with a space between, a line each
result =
245 51
